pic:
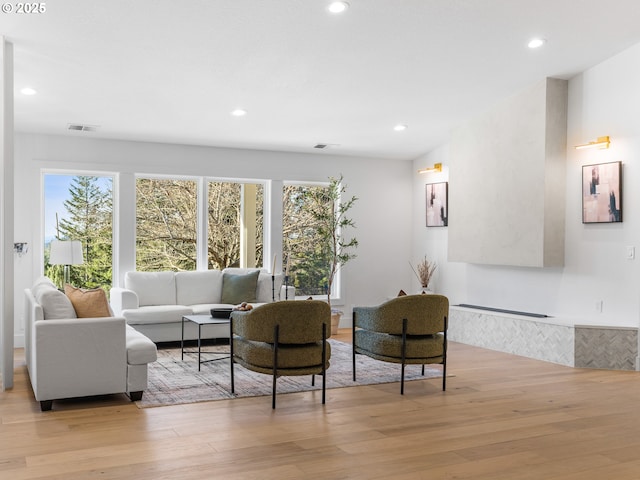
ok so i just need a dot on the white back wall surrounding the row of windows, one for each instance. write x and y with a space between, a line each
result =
382 213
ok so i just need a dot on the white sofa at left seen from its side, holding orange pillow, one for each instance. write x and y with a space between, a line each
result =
76 357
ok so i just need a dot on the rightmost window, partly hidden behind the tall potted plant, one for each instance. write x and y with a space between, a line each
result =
307 258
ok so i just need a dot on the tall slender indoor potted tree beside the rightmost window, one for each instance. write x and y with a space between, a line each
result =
330 215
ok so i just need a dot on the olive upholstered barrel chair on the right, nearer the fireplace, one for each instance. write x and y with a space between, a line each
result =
411 329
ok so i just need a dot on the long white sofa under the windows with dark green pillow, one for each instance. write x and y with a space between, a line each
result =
155 302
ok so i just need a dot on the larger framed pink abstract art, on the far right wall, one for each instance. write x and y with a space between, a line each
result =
602 193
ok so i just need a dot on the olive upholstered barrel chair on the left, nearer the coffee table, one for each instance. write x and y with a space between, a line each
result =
282 338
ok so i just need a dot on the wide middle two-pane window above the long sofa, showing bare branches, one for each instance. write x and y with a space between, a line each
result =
167 229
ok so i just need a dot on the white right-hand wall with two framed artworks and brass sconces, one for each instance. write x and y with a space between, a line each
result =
604 100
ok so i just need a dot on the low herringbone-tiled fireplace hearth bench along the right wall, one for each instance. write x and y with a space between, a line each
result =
552 339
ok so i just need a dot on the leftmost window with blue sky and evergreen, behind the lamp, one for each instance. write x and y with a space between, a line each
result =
80 207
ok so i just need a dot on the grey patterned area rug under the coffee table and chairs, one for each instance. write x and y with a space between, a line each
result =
173 381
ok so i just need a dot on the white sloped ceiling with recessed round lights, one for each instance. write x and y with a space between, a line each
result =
172 71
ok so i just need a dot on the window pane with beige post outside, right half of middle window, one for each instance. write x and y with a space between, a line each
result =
235 225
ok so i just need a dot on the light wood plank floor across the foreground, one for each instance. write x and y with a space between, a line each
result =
502 418
